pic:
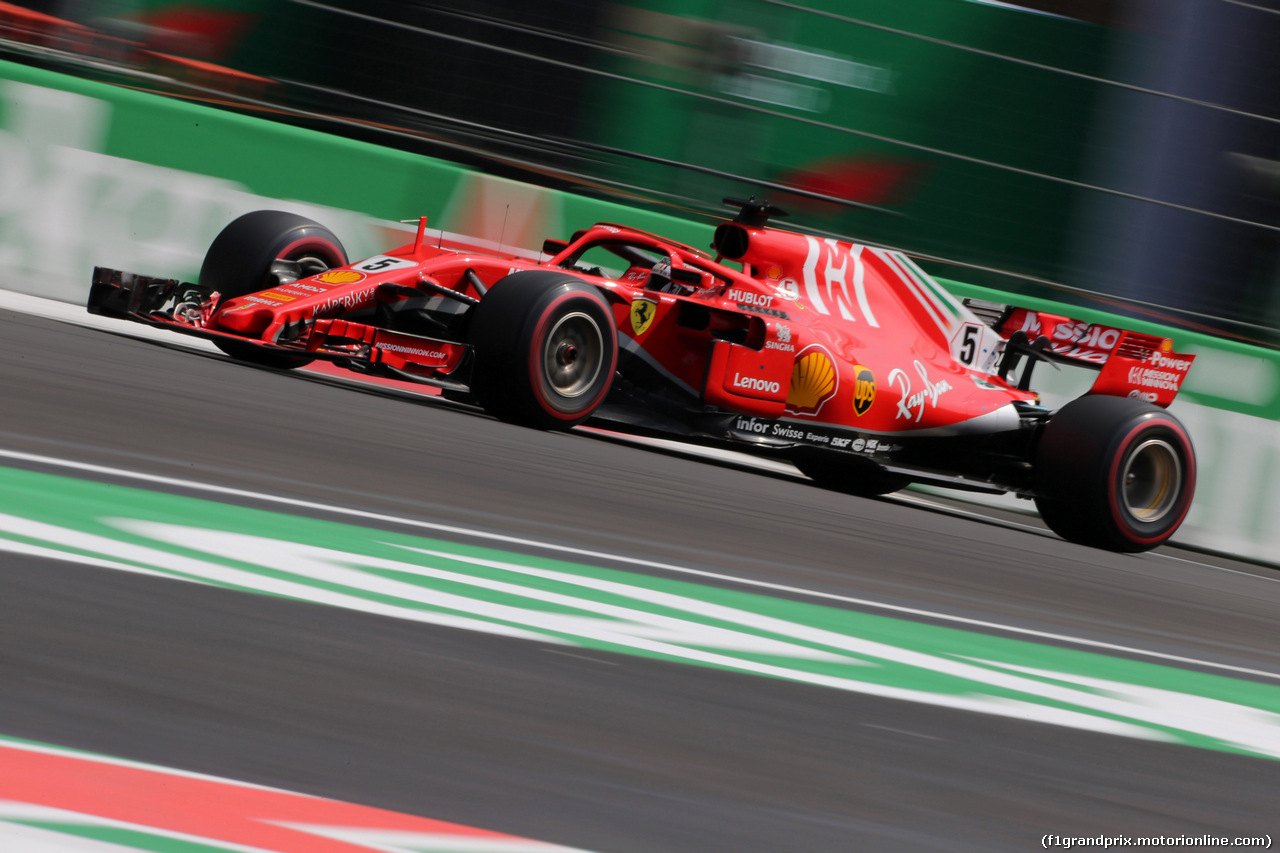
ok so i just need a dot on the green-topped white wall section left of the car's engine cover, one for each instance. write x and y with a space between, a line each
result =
94 175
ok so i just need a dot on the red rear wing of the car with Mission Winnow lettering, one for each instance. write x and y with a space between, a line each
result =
1130 364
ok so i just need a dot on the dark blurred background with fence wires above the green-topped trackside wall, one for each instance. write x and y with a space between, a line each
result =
1116 153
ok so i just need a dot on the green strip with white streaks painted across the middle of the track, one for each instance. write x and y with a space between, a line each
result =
552 601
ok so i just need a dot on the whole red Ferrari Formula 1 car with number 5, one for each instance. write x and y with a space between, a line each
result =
848 361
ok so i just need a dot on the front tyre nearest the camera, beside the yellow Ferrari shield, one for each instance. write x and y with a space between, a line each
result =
546 350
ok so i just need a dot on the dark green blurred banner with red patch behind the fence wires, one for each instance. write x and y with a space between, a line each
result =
788 84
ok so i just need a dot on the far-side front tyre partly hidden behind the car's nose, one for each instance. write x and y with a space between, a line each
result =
240 262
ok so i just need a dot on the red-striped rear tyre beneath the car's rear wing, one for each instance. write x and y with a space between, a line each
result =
1114 473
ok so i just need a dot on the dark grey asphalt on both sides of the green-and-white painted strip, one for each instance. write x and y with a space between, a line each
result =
610 754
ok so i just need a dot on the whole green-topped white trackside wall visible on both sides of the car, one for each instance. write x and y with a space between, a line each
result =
94 175
